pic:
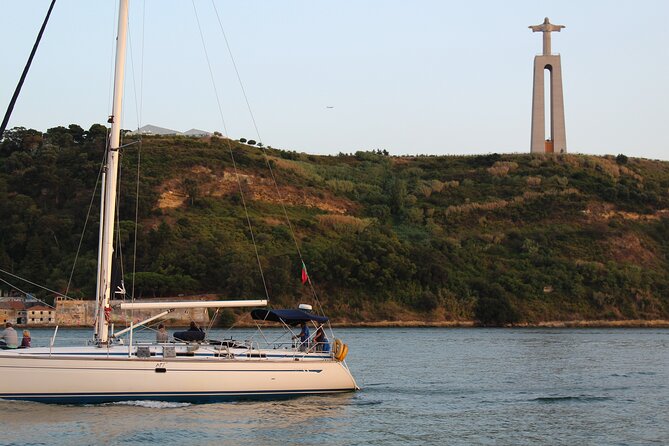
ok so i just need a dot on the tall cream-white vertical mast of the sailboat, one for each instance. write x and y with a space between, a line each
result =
109 197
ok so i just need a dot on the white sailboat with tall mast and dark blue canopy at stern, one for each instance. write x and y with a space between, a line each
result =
109 369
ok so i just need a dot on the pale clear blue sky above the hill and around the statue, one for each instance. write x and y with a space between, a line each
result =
323 77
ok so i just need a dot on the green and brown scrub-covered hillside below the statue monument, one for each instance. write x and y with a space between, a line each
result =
492 238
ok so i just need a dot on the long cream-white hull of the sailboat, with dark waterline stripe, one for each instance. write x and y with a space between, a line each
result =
98 375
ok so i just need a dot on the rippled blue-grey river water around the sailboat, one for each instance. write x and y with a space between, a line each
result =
419 386
